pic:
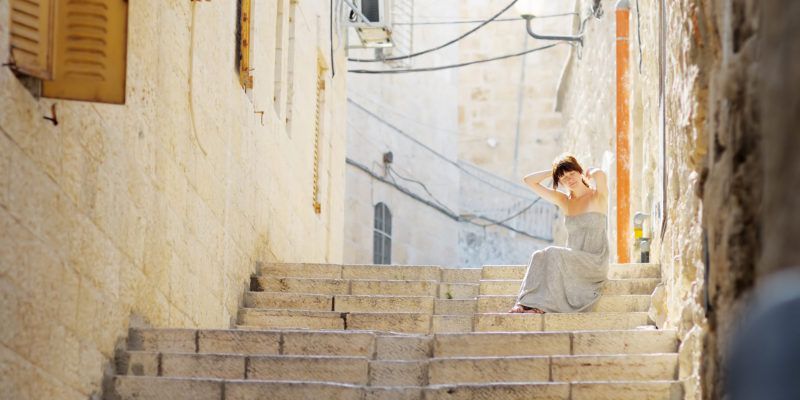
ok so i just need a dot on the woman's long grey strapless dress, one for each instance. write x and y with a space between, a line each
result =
568 279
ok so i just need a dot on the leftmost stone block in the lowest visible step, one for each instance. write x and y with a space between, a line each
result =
152 388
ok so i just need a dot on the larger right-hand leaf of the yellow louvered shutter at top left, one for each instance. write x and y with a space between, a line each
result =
90 51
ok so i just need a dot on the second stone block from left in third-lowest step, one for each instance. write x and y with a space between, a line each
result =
238 342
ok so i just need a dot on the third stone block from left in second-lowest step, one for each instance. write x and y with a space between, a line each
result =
354 370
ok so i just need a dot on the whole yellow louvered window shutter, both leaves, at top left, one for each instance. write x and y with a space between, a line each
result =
77 47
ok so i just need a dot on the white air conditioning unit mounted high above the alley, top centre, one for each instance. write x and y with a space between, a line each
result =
376 30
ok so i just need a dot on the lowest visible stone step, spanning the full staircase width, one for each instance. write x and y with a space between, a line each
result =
159 388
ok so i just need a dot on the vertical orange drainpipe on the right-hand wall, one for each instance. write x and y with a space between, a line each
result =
623 133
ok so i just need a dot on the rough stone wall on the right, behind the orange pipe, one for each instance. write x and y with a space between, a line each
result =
712 167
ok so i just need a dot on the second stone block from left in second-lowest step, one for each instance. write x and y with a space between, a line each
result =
203 366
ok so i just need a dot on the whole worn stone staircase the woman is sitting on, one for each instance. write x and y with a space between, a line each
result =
311 331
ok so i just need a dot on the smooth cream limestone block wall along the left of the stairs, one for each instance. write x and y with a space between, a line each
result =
157 210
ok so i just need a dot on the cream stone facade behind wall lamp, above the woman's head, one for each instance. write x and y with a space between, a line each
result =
506 109
